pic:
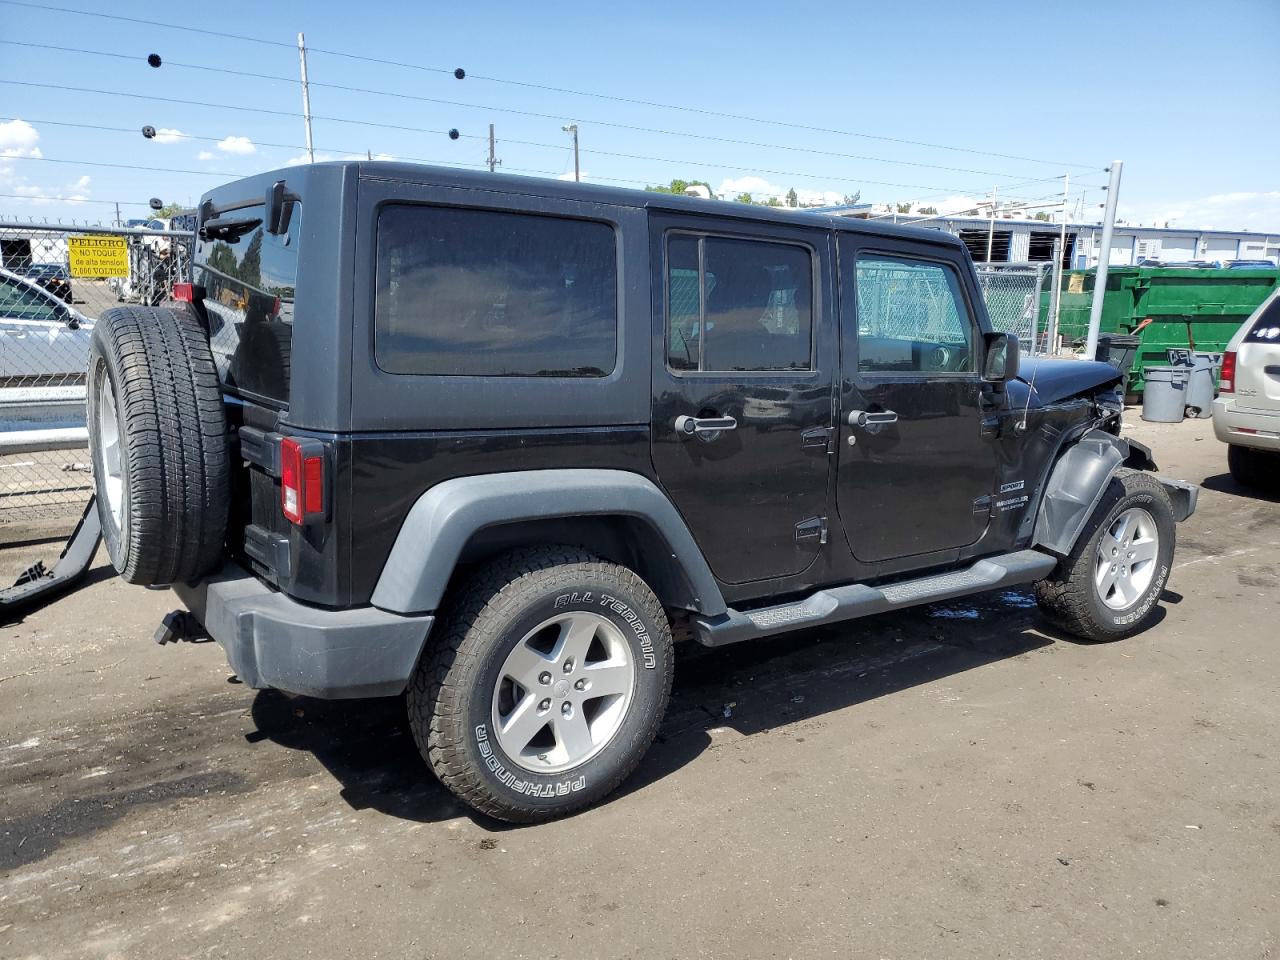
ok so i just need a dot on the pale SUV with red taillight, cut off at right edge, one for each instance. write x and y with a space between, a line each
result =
1247 413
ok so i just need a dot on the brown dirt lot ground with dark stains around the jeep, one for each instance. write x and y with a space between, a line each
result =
952 783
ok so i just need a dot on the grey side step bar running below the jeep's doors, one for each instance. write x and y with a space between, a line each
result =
856 601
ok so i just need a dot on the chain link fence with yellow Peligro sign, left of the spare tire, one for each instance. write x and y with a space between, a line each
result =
56 281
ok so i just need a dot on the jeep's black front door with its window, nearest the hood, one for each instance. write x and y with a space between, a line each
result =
916 473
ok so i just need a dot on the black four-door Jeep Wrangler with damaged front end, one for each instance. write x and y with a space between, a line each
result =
492 444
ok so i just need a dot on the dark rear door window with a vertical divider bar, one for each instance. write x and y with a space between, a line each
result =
738 305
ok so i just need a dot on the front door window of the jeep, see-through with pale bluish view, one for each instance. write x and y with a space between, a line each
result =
912 317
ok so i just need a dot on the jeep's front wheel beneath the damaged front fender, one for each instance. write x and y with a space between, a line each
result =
1108 587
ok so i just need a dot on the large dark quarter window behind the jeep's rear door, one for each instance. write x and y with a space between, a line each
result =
488 294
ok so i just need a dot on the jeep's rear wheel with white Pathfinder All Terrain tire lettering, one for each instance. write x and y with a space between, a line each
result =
546 685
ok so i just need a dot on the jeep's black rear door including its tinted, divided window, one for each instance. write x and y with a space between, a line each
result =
743 391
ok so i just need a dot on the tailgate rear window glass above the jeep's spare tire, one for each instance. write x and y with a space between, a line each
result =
249 287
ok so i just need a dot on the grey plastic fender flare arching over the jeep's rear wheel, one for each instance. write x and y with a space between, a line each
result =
449 515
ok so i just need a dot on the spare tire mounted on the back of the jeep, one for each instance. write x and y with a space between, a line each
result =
158 433
